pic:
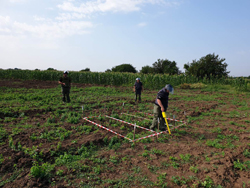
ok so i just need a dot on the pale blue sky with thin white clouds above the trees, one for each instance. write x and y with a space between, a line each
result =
100 34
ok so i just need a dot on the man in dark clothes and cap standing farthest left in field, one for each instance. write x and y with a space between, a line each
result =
65 82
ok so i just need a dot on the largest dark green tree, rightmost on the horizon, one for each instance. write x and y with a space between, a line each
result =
210 65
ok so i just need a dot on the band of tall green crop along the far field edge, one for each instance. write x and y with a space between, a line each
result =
151 81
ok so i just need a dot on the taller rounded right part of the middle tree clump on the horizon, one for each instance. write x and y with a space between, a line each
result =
166 67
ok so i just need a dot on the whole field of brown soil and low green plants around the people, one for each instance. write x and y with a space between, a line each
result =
47 143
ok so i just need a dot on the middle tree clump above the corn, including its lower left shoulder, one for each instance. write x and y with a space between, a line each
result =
162 66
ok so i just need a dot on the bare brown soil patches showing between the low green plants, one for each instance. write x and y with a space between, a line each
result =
220 169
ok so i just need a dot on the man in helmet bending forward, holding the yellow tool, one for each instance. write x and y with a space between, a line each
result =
161 105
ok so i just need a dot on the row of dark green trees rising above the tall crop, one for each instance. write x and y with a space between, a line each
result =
208 66
